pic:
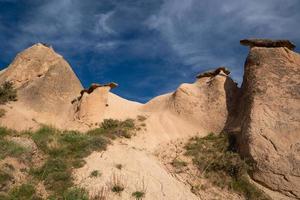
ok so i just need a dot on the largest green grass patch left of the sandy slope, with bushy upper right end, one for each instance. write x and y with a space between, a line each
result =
67 149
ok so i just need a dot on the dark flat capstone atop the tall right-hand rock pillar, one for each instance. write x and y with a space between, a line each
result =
268 43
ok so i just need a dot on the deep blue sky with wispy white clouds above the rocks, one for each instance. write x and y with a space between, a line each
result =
149 47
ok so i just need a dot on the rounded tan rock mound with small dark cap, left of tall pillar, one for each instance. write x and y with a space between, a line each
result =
206 103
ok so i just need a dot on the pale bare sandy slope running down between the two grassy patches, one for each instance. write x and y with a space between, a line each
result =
139 162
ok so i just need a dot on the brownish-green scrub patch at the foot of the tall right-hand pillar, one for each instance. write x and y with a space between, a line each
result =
214 157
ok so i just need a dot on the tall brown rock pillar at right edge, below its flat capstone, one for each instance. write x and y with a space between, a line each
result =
270 126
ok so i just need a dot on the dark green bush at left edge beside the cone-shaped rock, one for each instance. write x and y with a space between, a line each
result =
7 92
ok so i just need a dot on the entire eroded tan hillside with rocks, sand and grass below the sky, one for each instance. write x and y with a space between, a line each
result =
260 120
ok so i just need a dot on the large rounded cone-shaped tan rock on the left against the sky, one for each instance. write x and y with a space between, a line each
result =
44 80
